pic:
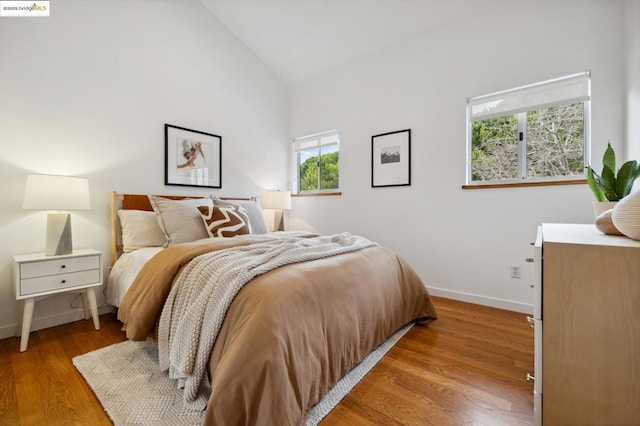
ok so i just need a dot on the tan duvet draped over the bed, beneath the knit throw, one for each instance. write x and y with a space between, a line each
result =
291 333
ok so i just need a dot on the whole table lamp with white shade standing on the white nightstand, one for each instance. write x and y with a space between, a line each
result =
48 192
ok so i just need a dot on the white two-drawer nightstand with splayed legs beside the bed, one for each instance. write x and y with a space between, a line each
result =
38 275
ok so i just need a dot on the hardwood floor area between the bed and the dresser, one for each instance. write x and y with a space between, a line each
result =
466 368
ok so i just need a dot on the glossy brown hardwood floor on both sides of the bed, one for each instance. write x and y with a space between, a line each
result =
468 367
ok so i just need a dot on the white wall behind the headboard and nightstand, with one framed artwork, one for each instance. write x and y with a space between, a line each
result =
87 92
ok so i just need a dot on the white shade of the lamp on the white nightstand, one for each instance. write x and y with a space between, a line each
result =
48 192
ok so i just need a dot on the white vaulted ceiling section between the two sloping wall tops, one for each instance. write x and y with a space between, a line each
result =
299 39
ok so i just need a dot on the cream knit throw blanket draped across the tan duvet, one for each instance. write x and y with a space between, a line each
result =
196 306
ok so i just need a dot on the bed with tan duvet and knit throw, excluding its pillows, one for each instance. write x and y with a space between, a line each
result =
263 324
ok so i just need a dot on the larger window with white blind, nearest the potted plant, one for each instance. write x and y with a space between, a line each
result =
534 133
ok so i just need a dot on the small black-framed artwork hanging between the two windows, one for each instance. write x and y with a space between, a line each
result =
391 159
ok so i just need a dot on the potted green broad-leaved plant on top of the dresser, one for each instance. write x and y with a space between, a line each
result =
611 185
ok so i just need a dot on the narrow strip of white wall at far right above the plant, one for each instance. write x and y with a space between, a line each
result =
632 79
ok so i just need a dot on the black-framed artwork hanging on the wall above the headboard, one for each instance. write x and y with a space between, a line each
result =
192 158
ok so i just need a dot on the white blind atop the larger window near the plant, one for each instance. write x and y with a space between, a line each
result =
545 94
